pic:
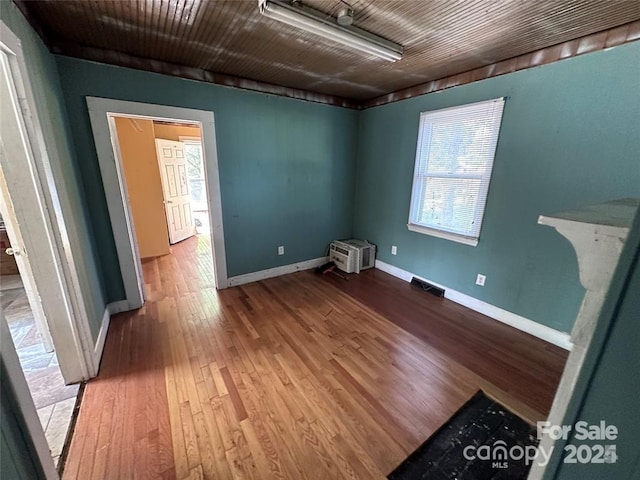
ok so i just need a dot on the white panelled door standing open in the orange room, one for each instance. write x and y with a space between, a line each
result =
175 187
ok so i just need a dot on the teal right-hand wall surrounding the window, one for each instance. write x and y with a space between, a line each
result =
569 138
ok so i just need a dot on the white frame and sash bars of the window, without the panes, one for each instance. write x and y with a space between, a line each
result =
421 164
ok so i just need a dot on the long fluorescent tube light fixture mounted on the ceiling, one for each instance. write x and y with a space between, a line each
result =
316 22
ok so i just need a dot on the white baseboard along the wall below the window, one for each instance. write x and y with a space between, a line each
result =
561 339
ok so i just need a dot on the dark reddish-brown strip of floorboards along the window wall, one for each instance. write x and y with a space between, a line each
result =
521 369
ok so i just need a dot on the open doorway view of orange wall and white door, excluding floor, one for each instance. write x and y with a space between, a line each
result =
163 168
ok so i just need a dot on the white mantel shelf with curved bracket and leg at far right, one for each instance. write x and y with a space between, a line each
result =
597 233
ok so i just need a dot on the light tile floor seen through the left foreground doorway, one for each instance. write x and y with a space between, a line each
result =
53 399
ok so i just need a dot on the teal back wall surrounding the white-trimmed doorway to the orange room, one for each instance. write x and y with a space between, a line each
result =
287 167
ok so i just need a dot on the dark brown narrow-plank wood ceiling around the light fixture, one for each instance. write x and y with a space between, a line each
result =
441 38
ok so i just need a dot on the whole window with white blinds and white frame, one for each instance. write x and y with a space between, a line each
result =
454 158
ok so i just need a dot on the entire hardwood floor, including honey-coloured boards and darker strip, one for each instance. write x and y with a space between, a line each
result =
290 377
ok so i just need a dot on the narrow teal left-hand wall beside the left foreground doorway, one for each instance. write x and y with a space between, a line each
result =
51 110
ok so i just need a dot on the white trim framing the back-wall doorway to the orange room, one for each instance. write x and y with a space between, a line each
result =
101 112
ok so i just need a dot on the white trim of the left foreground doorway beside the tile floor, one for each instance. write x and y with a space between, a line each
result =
51 239
